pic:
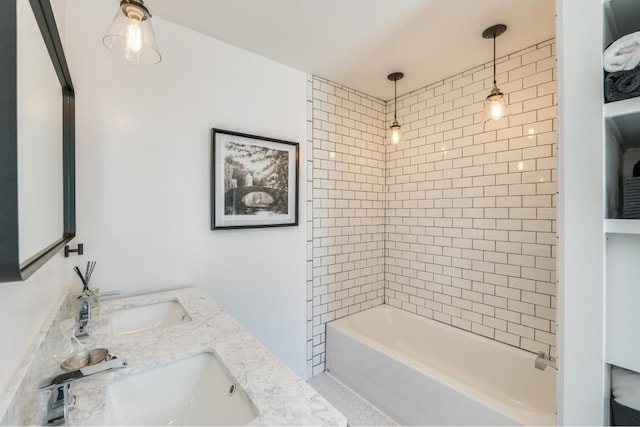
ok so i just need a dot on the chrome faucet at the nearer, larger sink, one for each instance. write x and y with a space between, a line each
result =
60 400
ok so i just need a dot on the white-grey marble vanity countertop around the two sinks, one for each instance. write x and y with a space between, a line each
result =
279 395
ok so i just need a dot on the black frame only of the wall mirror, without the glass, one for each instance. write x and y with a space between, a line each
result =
10 267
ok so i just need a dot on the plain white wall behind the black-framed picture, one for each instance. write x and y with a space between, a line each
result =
143 163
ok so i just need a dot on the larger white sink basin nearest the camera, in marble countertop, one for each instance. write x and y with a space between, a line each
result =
197 390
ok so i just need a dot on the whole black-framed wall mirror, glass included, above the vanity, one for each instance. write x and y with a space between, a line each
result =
37 160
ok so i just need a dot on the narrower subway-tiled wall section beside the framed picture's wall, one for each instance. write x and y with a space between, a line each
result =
347 200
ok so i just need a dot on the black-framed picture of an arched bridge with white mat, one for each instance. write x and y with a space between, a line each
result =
254 181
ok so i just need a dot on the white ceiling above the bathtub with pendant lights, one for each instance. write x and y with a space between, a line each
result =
357 43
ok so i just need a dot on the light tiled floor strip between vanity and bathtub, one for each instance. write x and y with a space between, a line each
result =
358 411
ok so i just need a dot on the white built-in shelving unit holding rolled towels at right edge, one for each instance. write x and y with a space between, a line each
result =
622 151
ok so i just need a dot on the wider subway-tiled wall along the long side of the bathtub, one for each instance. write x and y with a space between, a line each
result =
471 207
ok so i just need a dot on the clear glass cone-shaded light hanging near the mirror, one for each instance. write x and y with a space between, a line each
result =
131 34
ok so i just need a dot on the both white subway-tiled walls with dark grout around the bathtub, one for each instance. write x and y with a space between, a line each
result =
458 221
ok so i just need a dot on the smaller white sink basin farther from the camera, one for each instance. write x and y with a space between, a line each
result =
146 317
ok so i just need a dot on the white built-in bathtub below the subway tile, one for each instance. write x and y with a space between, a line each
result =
422 372
